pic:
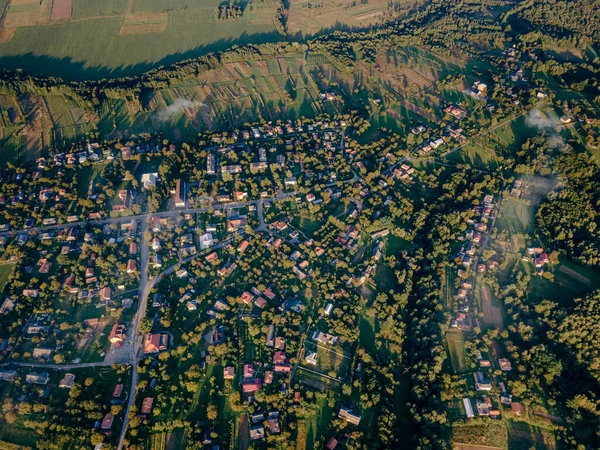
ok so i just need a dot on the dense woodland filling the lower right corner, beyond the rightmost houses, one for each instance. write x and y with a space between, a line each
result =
554 351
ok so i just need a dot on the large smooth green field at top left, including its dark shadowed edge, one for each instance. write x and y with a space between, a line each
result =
90 46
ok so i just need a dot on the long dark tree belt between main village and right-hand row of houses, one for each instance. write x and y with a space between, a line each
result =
439 223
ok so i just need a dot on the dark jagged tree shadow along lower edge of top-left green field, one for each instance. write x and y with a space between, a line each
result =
70 70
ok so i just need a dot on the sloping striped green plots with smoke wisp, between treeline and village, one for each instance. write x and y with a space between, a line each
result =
228 96
